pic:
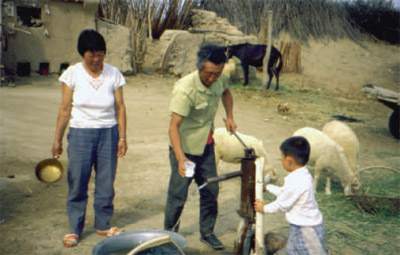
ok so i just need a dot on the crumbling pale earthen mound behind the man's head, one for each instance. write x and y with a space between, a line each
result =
175 52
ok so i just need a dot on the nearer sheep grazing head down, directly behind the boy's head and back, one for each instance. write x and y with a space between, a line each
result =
327 155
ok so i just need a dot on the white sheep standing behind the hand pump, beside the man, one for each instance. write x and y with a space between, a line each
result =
229 149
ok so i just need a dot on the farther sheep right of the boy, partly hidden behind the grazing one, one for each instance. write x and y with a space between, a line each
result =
345 137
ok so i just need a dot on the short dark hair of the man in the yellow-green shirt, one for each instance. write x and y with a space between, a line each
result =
210 52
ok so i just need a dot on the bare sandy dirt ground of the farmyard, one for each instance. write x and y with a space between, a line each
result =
33 214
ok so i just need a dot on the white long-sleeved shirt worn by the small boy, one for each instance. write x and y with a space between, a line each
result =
296 199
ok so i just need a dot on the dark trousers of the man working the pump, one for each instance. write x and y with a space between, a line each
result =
178 191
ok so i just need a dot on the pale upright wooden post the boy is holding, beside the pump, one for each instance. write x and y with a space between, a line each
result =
259 240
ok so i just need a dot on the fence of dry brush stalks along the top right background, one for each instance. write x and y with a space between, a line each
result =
301 19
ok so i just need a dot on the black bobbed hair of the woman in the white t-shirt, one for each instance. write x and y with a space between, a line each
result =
90 40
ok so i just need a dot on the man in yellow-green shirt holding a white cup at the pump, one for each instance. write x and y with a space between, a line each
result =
195 100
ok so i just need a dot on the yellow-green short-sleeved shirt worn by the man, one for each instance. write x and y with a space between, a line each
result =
198 105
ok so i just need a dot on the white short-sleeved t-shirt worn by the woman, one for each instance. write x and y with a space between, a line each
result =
93 98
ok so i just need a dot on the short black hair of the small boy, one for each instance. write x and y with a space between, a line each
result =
297 147
